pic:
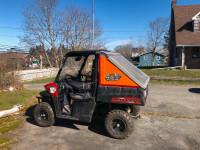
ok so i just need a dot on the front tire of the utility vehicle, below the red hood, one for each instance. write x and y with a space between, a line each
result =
44 115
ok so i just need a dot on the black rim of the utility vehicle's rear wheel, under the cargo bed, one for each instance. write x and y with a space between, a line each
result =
118 125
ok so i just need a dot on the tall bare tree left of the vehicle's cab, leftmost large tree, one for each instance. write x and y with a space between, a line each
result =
42 26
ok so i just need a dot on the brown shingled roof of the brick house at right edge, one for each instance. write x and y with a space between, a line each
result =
184 26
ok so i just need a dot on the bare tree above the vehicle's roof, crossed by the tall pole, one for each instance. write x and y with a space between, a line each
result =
77 29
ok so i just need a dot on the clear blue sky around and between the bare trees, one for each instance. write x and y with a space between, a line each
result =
122 20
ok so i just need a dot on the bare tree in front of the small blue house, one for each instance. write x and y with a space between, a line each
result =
155 34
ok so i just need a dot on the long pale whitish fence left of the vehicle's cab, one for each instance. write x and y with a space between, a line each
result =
28 75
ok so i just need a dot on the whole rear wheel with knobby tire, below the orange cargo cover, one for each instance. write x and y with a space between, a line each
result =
119 124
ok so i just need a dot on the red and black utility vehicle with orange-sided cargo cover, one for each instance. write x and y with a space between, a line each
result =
102 83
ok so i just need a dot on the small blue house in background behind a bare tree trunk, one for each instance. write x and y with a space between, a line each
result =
145 59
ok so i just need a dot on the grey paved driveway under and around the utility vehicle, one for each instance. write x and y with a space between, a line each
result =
170 120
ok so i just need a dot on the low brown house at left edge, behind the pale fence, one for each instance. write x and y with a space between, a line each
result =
16 60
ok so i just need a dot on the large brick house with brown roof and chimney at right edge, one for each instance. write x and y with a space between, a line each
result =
184 41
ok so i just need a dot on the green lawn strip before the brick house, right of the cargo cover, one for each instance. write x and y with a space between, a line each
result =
173 73
